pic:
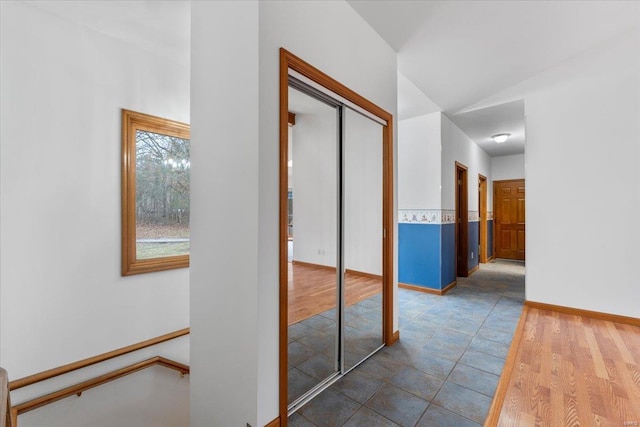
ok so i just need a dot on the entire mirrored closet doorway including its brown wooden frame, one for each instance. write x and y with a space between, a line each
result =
336 291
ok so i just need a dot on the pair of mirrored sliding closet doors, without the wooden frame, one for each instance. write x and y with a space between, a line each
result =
335 238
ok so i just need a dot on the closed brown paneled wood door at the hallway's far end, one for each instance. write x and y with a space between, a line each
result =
509 213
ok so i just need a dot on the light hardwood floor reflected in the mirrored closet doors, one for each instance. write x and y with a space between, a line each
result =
312 290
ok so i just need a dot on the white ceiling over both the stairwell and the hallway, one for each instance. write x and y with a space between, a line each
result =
453 56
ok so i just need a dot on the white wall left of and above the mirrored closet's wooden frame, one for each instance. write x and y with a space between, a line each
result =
334 38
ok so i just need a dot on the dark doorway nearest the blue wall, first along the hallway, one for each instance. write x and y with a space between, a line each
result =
462 212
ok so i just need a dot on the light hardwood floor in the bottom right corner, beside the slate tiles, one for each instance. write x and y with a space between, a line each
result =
569 370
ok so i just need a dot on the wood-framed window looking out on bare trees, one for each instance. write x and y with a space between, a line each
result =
156 169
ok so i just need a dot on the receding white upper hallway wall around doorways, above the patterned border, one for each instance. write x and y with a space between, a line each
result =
457 146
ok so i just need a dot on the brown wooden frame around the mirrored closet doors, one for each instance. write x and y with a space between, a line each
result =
290 61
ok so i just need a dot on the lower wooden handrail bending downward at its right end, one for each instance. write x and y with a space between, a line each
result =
94 382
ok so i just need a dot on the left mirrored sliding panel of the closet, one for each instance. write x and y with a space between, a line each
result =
313 242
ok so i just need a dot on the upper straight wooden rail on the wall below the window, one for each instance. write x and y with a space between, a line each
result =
51 373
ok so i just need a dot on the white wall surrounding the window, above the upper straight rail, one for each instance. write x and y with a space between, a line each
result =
62 296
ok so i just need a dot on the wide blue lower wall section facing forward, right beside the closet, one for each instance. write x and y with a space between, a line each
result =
419 254
